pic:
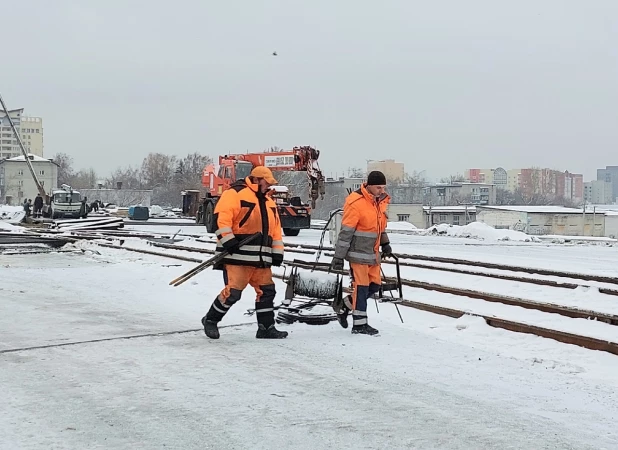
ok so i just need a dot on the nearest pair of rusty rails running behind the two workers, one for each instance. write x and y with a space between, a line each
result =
496 322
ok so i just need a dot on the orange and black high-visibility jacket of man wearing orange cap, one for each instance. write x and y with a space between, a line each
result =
241 212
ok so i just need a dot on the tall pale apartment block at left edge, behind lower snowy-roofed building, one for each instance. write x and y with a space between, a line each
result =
30 130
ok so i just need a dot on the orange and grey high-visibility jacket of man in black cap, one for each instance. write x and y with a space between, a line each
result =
363 228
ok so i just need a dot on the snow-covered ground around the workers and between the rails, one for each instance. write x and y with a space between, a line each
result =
430 383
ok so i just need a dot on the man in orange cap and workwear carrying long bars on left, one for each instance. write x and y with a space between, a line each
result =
242 210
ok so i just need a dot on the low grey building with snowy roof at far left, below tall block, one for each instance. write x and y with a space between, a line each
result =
16 182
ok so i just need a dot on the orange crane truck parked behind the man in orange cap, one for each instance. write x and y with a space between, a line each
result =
294 214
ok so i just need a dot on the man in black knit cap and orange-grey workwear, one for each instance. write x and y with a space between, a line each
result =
363 232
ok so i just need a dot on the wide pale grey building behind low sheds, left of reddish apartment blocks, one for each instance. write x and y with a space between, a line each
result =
460 193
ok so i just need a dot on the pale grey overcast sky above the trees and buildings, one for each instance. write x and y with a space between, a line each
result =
439 85
